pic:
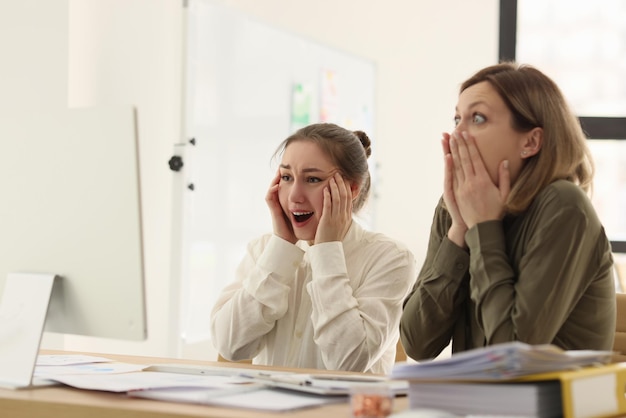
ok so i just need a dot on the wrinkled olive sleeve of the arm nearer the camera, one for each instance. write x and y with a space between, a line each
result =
551 279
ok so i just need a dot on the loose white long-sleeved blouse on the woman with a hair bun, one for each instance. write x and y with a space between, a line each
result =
334 306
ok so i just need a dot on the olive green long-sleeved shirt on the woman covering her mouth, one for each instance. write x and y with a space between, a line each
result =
545 276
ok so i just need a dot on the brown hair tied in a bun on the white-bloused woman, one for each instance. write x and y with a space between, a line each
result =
348 150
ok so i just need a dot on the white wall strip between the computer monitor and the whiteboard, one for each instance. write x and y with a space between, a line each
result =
130 51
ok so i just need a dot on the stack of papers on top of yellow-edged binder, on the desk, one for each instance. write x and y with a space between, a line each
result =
516 379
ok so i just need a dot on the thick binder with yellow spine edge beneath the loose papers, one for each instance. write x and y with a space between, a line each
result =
591 391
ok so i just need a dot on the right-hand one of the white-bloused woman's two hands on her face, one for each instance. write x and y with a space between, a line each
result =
337 211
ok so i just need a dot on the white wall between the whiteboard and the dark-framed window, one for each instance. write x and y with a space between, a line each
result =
423 50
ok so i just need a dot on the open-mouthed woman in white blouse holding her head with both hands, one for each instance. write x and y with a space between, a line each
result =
320 291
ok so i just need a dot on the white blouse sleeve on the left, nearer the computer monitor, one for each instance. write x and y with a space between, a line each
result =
248 308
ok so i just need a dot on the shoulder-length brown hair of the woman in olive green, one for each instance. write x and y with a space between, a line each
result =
536 101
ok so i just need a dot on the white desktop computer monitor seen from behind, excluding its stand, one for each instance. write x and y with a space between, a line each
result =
69 180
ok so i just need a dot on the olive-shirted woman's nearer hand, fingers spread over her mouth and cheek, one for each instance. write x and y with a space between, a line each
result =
478 198
